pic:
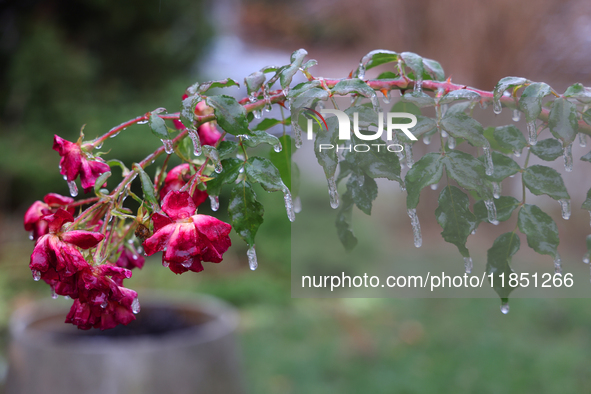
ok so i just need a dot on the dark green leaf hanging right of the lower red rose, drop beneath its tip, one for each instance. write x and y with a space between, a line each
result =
246 213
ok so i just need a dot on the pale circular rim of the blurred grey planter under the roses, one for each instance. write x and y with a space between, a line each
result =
222 320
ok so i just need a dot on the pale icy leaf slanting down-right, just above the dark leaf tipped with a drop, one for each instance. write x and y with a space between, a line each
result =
468 172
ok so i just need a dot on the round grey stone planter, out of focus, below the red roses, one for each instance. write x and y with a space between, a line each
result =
175 346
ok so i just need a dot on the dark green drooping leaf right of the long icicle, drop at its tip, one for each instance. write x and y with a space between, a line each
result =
454 216
